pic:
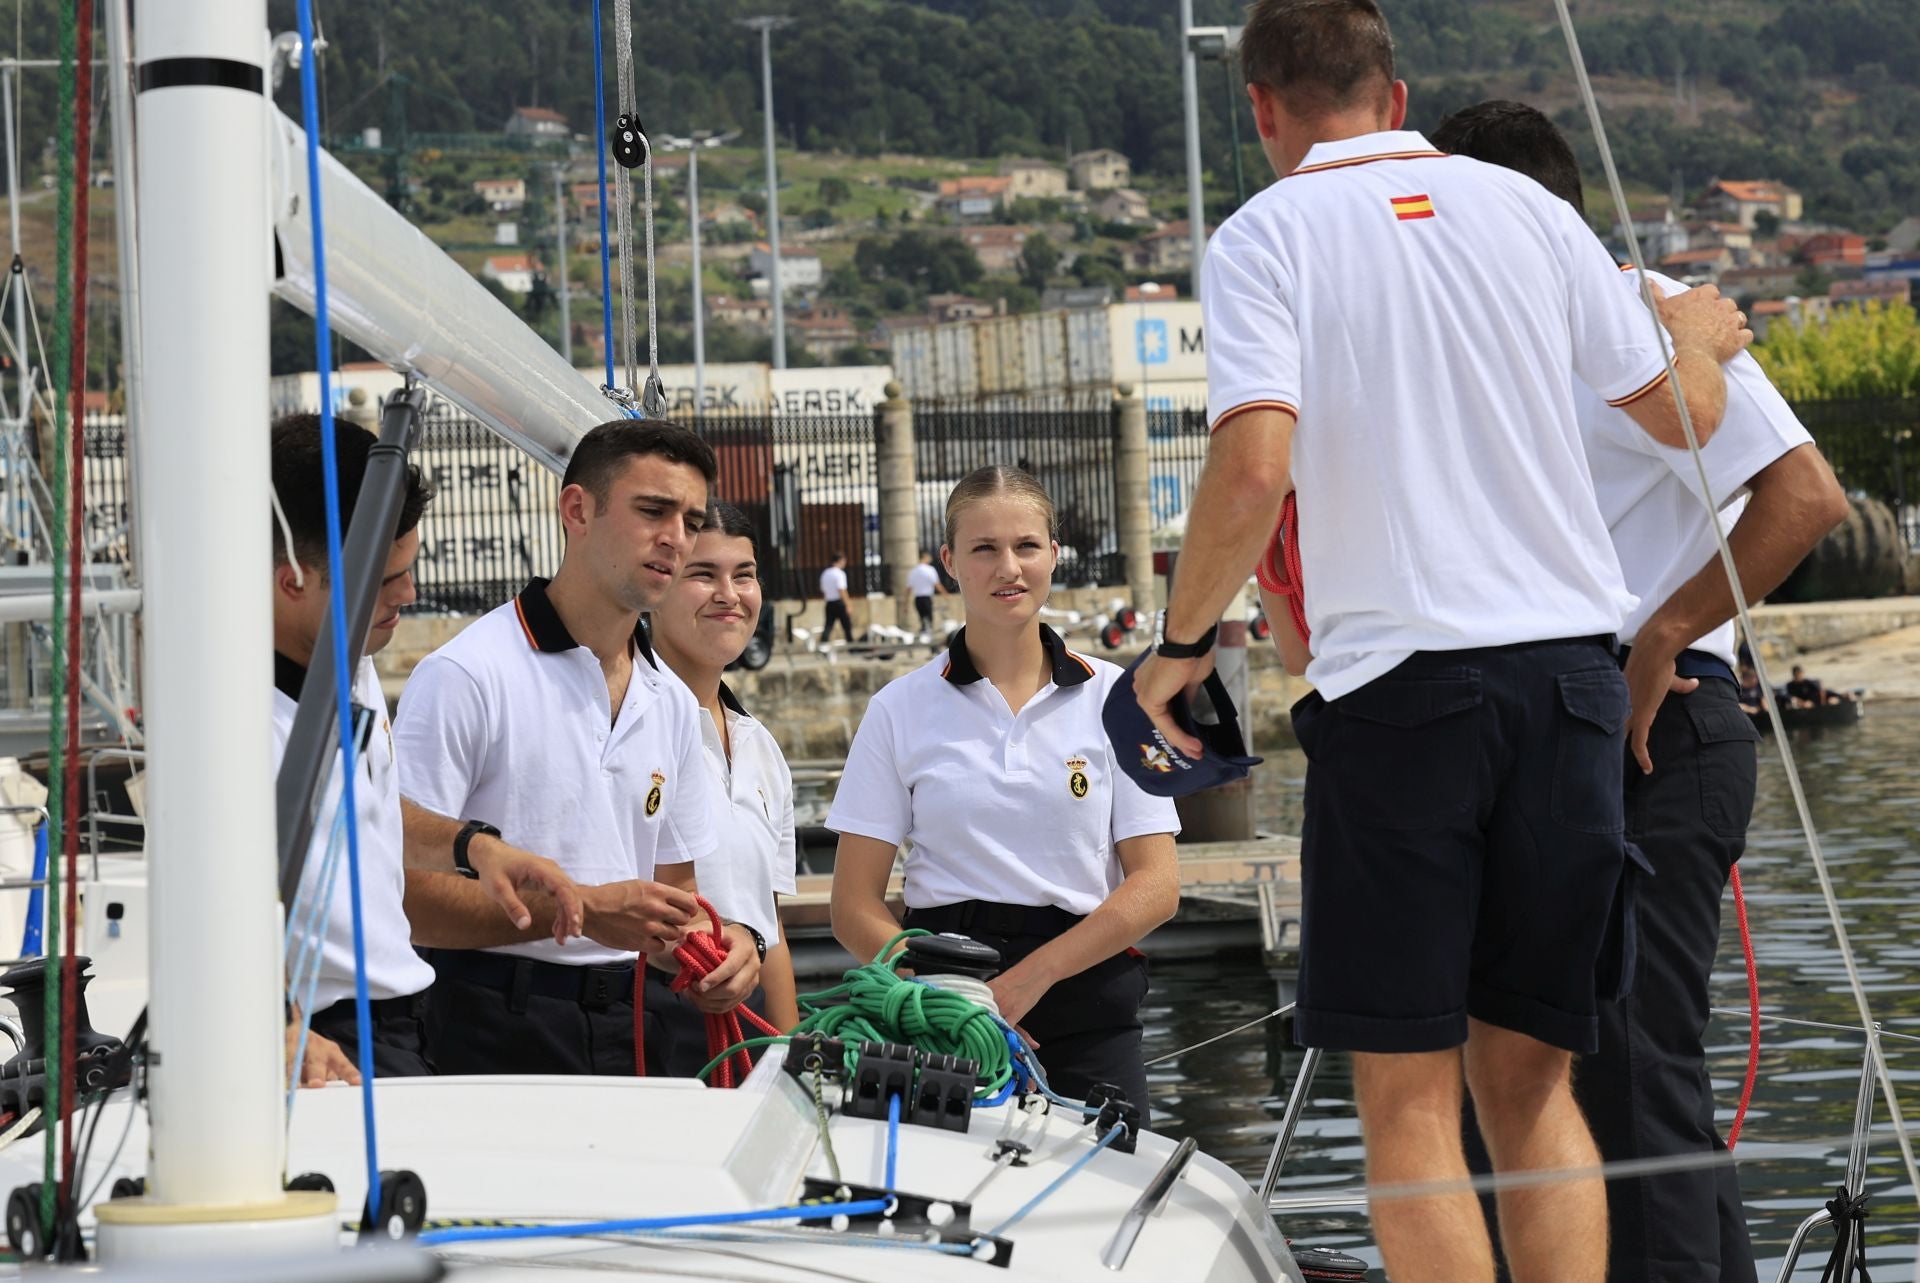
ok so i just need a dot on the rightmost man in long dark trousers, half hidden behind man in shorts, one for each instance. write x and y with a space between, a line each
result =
1691 790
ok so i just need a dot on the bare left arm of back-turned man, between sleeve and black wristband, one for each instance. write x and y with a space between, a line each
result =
1236 508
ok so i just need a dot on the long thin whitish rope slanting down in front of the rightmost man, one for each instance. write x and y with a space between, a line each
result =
1746 619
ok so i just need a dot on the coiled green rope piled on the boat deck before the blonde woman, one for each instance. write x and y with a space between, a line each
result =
875 1004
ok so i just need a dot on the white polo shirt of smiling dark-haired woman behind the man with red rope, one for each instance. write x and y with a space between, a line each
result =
754 813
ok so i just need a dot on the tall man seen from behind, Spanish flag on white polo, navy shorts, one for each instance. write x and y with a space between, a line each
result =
1422 322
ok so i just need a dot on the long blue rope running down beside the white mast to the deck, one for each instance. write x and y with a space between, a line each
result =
310 110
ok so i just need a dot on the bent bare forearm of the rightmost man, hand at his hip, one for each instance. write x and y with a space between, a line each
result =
1794 504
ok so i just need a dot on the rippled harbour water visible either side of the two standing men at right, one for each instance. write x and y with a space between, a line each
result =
1865 800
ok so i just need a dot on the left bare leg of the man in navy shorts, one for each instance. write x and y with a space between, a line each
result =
1410 1115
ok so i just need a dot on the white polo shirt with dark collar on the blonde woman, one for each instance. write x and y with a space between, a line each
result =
1015 810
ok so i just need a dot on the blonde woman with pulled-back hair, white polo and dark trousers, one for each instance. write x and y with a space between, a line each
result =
992 765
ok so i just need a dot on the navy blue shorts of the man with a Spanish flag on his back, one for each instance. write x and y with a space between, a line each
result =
1464 850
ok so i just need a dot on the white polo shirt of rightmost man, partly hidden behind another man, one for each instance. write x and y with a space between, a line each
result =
1652 500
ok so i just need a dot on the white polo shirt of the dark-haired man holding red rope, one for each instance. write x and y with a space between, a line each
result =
510 723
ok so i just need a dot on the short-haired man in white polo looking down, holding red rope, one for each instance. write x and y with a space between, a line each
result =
550 723
